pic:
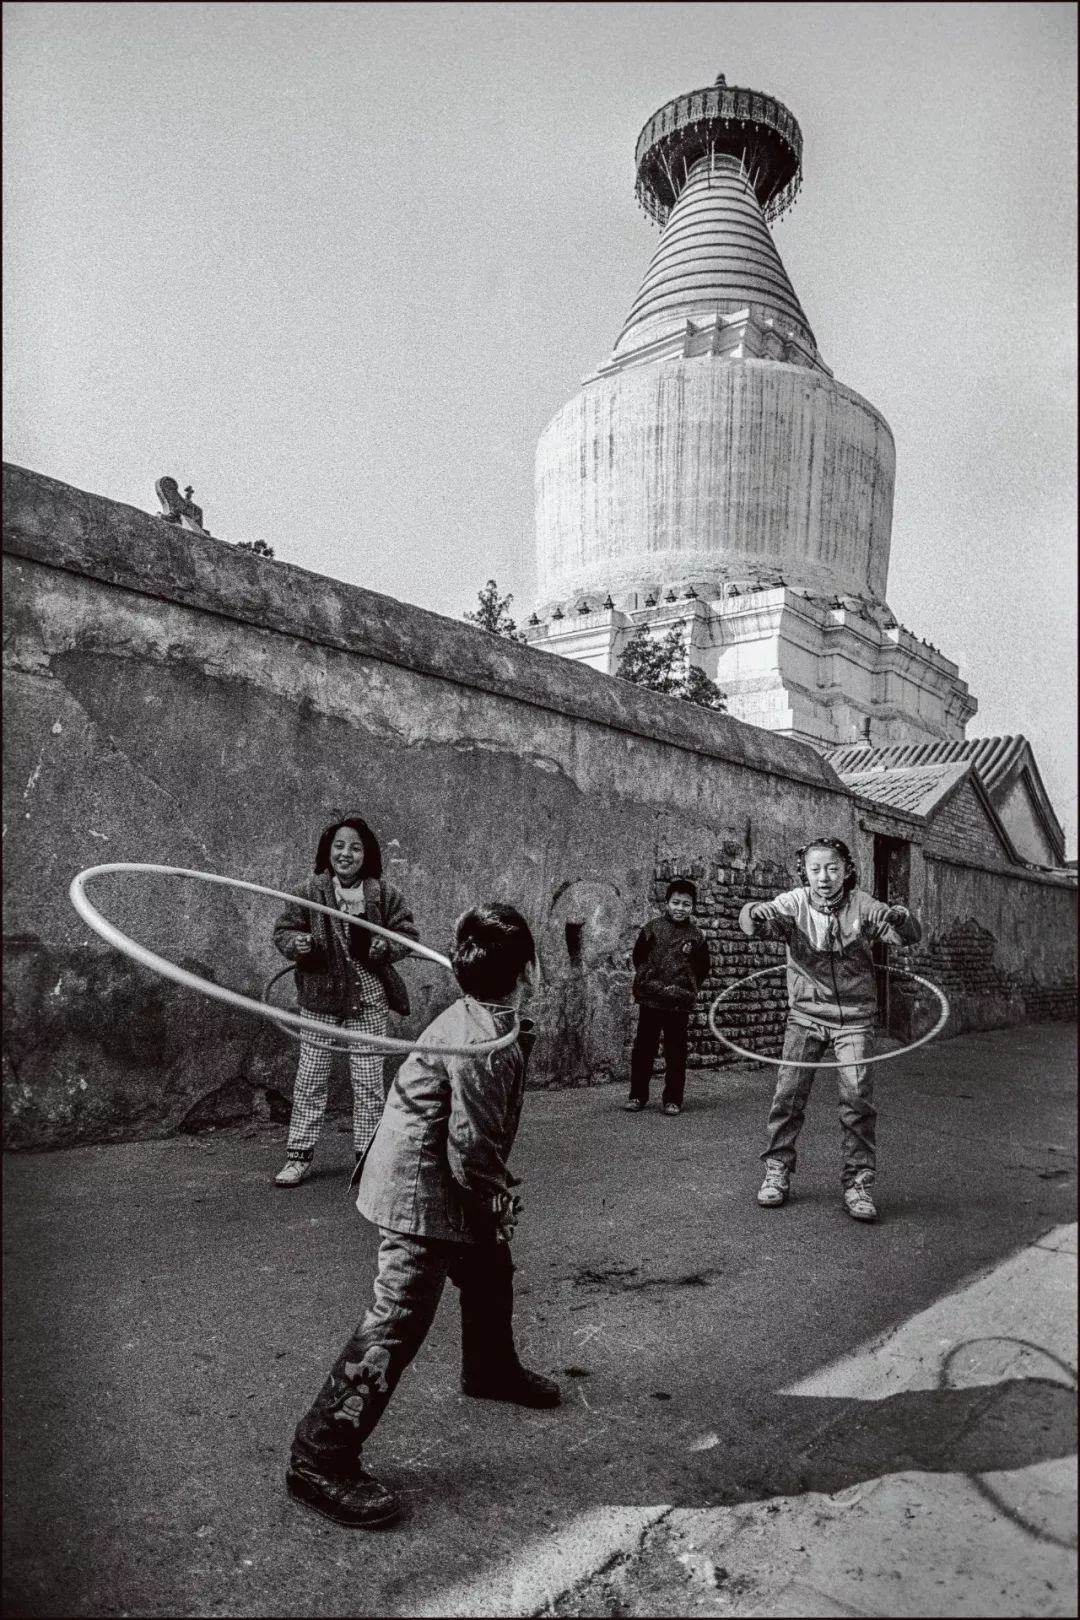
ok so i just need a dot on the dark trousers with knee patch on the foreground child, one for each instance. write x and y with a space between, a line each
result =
407 1294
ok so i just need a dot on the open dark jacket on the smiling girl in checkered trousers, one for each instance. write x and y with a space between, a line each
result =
325 979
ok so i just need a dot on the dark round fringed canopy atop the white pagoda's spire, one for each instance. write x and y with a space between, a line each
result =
723 119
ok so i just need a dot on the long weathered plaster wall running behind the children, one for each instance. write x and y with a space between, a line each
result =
174 701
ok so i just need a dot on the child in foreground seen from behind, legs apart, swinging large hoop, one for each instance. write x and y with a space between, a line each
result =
438 1187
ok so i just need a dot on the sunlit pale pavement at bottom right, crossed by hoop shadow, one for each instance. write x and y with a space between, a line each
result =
976 1520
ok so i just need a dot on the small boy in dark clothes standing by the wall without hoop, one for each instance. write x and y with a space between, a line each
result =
673 960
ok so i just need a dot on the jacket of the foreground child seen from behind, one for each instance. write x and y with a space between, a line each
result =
440 1156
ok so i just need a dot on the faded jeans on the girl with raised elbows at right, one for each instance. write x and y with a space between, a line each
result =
859 1117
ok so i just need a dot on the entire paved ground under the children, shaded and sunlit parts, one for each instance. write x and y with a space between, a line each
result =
768 1413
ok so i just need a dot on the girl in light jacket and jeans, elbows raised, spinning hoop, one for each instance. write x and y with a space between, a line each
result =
830 927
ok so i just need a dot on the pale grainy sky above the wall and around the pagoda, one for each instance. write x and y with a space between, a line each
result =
339 265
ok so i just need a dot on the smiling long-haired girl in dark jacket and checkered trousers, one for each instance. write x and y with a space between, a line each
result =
346 978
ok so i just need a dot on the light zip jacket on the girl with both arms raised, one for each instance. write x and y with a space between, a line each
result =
830 955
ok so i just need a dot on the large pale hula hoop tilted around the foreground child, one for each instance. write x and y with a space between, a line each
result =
181 976
